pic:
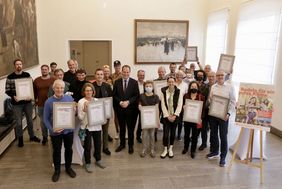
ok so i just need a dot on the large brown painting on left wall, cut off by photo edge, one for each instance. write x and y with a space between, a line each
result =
18 35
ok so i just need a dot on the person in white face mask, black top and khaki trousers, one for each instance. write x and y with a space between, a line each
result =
148 99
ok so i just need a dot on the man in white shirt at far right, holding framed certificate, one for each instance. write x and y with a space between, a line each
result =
222 104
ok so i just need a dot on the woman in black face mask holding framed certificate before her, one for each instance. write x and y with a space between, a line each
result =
190 123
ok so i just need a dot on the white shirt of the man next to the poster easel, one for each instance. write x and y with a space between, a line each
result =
226 90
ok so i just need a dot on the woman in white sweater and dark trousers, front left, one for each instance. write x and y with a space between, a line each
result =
92 131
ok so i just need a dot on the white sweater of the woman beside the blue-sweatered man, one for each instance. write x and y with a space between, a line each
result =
83 117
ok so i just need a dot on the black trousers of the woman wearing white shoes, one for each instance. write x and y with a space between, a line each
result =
169 132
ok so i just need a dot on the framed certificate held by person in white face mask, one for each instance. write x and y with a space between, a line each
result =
149 117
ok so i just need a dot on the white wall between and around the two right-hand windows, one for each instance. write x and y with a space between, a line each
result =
234 7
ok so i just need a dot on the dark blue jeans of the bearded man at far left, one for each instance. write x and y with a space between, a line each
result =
18 116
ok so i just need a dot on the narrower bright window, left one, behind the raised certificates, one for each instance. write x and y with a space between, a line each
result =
216 37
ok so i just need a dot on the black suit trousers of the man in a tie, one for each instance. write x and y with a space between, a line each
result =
127 121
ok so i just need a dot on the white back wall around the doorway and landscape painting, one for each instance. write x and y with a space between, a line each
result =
60 21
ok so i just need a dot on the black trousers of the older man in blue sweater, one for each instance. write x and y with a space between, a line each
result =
57 146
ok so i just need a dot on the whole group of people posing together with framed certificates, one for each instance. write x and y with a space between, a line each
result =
129 95
